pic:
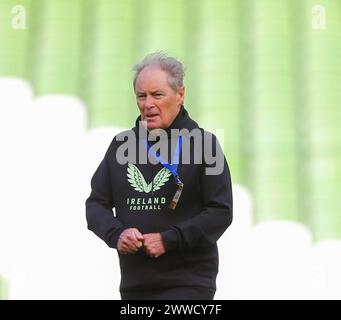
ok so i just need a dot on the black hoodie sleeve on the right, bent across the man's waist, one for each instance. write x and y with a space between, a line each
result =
206 227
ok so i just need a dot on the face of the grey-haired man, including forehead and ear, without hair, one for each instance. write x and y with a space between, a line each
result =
159 104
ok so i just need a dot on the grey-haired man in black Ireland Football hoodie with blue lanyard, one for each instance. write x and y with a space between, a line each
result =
170 209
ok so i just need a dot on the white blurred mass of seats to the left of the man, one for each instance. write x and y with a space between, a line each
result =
46 250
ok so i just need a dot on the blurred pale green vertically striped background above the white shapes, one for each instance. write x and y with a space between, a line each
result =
268 72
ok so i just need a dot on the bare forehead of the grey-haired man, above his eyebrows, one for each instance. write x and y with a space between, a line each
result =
152 78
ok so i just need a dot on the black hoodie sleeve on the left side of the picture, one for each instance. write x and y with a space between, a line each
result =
99 205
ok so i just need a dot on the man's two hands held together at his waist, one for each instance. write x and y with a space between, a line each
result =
131 240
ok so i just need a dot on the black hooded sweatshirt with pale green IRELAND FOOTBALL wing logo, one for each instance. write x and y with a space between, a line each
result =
140 194
